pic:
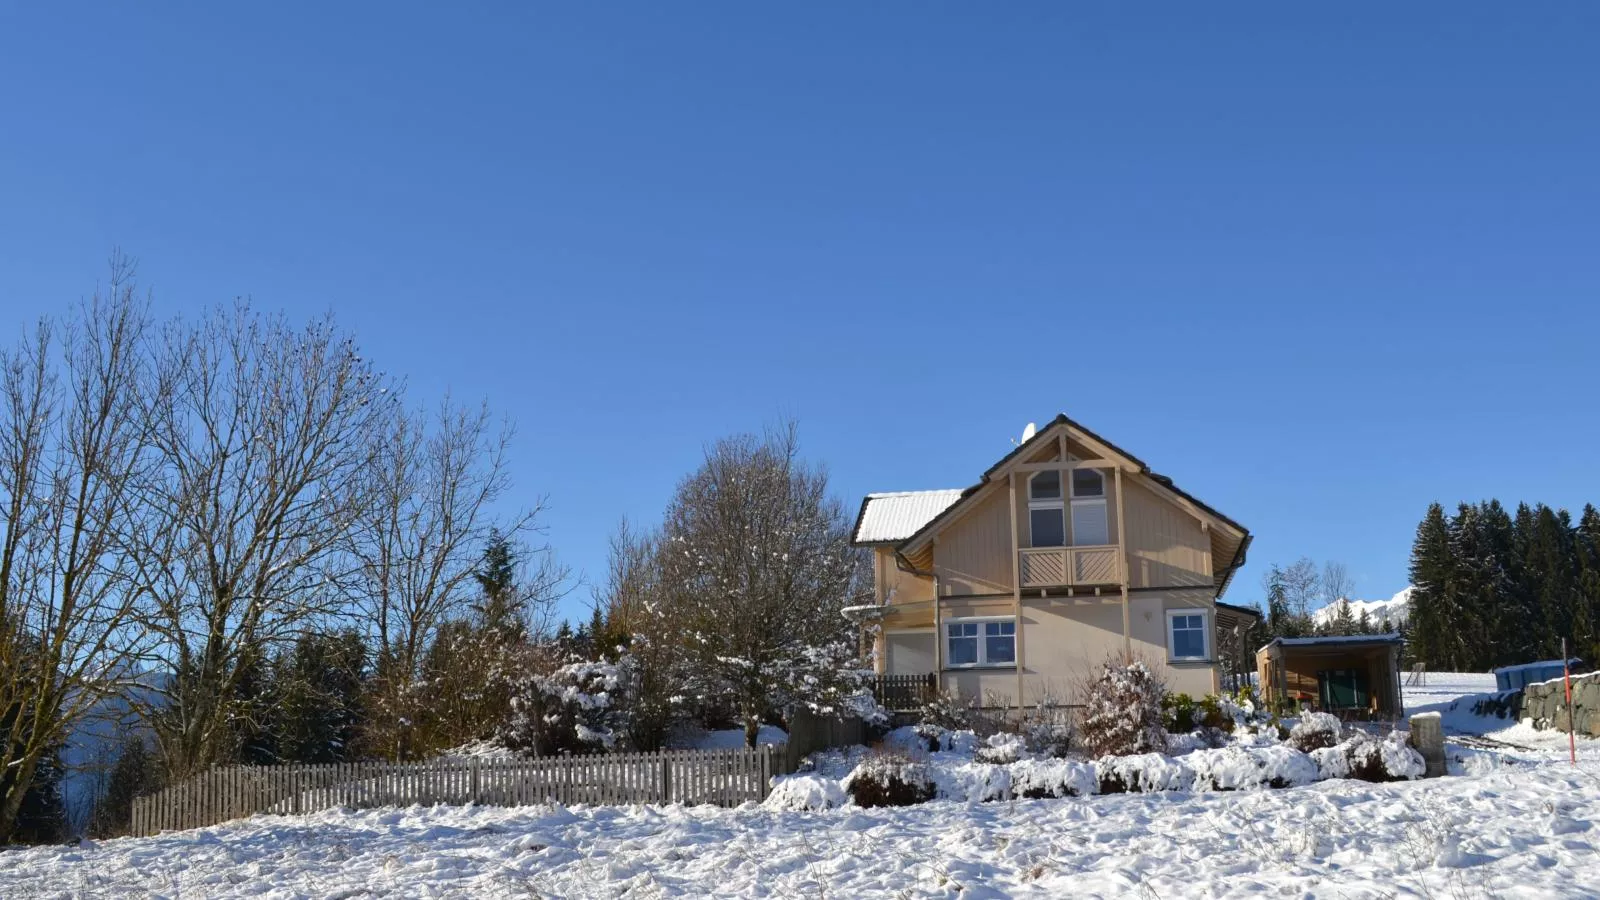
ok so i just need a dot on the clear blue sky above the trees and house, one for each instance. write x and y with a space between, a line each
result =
1322 265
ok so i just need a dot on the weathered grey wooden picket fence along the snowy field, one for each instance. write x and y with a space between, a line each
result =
722 777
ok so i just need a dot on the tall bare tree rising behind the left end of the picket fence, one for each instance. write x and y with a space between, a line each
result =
263 438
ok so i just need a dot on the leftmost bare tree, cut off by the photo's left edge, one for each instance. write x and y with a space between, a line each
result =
71 446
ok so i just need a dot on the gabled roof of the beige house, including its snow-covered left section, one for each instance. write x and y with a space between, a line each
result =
1230 547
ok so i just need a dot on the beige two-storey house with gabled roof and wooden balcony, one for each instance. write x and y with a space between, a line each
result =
1066 553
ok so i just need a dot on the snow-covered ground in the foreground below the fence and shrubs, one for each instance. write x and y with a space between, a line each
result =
1522 824
